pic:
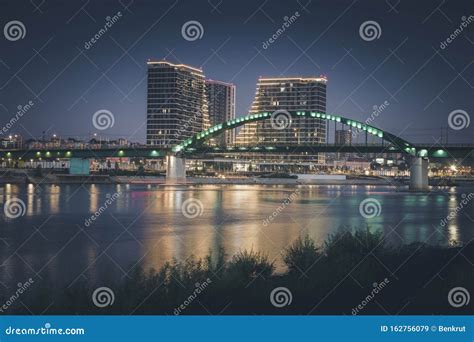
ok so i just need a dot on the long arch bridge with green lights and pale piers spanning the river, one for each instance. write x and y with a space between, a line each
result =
195 145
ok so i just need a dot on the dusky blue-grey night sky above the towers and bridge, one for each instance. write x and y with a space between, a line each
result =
405 66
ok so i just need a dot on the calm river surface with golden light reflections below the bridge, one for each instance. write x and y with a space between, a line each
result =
145 224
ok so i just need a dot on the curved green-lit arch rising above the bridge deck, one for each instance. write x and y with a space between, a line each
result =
201 137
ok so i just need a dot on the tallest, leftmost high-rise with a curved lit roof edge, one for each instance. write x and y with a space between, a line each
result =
176 104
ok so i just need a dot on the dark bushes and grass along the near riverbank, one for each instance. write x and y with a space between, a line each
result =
334 279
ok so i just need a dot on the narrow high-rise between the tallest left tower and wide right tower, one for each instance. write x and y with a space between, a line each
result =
221 103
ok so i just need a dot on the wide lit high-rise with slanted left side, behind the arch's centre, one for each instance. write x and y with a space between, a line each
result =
290 94
